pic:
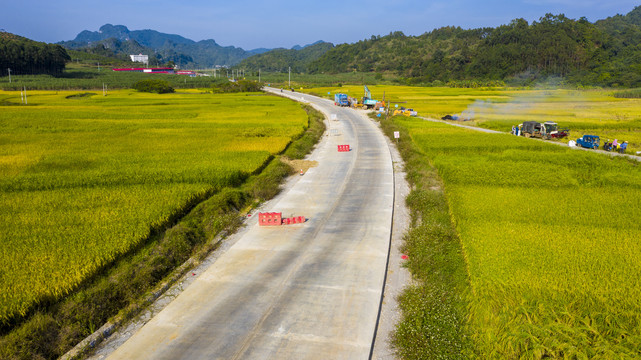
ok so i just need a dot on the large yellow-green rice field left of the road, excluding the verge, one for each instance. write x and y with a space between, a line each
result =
84 180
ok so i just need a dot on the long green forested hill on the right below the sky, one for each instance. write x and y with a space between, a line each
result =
606 53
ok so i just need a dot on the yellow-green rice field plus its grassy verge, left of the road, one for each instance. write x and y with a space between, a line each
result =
88 196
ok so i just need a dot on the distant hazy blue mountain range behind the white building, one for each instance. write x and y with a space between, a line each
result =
161 47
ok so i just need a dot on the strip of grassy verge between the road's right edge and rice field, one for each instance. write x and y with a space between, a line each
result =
434 315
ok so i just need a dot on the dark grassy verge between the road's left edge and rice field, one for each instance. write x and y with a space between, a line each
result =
123 290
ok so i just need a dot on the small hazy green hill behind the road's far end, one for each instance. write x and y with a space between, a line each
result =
298 58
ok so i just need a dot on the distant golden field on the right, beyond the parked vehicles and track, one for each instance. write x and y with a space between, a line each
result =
595 112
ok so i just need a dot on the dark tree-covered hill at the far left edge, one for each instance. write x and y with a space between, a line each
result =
25 56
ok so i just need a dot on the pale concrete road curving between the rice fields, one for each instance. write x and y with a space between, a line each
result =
304 291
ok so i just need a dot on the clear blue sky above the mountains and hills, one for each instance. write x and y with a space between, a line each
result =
283 23
